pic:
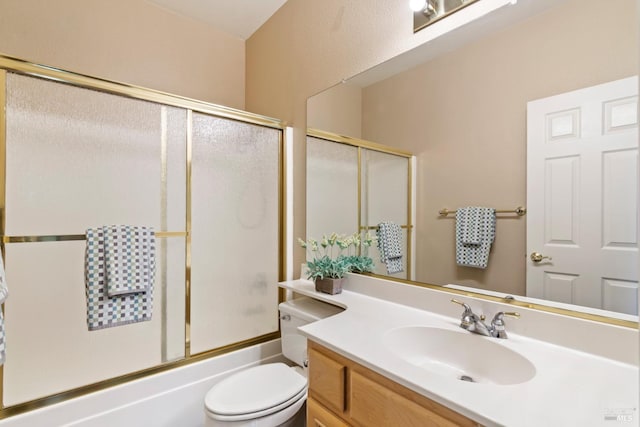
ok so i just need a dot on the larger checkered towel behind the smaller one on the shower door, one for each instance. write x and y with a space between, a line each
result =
104 311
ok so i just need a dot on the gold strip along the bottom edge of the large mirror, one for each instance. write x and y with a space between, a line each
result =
515 302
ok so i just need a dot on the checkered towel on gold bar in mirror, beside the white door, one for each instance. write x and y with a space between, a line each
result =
475 232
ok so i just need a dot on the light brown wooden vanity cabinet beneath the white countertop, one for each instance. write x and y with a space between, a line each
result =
344 393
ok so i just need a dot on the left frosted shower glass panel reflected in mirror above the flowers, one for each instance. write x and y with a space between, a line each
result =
332 188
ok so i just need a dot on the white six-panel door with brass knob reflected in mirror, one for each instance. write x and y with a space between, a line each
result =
582 196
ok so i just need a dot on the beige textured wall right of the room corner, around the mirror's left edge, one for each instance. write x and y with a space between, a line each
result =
308 46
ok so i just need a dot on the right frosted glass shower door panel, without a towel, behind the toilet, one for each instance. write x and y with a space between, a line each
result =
235 232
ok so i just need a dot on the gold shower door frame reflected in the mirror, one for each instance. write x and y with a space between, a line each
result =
361 144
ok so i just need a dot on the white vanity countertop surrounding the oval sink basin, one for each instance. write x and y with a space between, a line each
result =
570 387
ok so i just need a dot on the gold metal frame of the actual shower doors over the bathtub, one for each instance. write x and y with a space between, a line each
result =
9 64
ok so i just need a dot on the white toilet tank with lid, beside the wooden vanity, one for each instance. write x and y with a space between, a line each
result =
295 313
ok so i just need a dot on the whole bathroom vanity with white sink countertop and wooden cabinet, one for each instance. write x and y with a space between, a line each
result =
397 356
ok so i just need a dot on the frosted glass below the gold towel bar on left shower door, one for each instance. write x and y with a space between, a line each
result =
49 348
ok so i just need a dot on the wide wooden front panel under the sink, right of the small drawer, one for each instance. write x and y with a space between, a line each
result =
375 405
